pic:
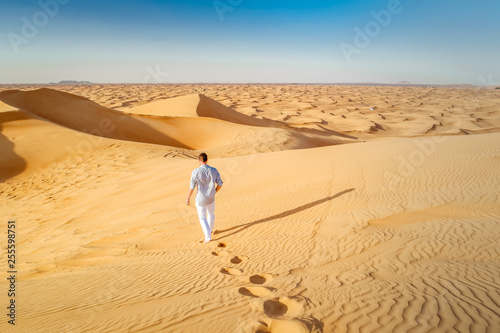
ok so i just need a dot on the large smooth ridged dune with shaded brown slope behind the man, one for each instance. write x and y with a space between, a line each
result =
193 133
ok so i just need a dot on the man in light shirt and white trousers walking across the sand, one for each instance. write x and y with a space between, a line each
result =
205 177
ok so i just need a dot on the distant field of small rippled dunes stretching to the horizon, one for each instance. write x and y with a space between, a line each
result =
351 110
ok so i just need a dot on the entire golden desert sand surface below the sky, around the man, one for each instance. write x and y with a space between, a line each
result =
344 208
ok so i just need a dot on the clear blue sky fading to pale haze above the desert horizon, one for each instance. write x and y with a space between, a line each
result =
240 41
